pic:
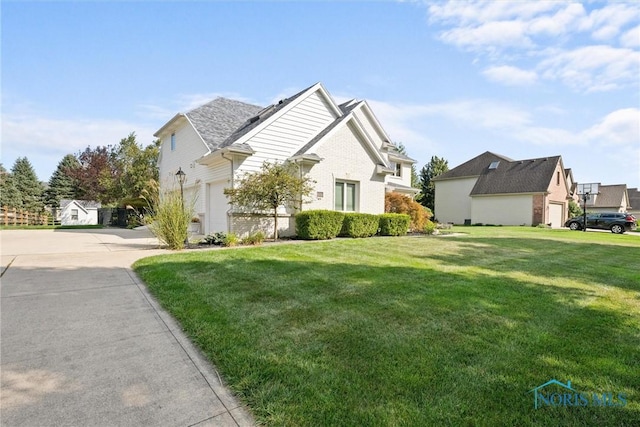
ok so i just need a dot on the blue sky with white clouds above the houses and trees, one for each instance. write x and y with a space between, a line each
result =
446 78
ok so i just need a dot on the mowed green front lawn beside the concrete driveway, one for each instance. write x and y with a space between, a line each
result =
417 331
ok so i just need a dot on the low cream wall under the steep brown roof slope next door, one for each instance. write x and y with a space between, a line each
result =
502 210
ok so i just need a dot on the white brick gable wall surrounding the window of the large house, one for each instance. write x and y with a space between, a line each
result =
345 158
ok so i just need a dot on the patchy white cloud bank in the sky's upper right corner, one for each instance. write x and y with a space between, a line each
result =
508 31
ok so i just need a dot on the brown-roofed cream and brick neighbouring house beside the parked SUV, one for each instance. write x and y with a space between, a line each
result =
494 189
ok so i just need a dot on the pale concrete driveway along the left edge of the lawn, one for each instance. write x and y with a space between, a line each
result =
84 344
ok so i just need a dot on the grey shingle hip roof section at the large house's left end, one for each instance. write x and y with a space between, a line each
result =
218 119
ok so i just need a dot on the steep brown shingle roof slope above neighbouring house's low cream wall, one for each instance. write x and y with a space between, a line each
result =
524 176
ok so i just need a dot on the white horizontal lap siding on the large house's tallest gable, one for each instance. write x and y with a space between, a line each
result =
289 132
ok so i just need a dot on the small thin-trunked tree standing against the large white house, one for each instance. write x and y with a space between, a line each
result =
275 185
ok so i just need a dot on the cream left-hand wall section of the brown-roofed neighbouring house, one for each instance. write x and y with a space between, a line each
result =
452 201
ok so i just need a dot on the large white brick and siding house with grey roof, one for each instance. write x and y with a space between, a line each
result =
342 147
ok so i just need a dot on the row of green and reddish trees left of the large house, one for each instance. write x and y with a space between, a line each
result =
111 175
